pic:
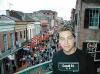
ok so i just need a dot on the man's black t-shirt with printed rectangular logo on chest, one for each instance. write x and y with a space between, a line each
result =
77 63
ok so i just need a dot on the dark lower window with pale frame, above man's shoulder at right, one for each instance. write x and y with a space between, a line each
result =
92 48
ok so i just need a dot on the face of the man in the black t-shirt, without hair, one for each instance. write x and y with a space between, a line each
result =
66 40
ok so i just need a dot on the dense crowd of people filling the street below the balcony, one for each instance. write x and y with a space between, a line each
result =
42 52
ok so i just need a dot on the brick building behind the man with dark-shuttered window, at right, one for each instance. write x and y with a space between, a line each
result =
87 26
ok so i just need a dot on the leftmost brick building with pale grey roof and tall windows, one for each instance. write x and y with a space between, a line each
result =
7 40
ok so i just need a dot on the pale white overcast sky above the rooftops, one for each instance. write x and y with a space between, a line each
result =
62 7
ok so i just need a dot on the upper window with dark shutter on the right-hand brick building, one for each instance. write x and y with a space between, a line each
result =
92 19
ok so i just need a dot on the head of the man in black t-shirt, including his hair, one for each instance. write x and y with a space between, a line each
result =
67 39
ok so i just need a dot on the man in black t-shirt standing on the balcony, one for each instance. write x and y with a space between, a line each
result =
71 60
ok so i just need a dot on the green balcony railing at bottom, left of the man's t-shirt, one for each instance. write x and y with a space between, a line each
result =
41 68
